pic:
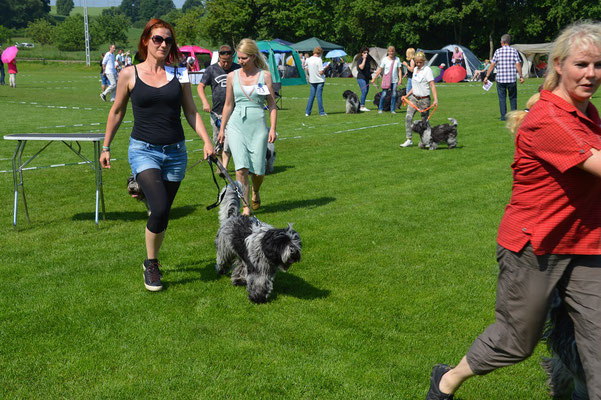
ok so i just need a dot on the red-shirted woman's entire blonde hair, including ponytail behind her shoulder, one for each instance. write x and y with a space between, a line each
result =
580 35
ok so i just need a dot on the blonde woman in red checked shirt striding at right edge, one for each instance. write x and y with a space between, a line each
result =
548 238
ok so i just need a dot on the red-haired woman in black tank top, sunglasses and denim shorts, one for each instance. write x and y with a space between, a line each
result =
157 150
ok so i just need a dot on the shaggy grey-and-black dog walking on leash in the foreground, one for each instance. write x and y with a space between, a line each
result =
255 249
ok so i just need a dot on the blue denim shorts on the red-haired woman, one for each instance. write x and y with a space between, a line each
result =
171 159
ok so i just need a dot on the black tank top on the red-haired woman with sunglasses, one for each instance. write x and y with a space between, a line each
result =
157 112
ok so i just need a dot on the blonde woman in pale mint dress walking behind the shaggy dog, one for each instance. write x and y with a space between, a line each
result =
244 115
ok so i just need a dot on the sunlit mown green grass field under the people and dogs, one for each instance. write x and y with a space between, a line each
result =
398 270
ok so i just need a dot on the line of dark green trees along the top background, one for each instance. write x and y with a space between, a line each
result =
429 24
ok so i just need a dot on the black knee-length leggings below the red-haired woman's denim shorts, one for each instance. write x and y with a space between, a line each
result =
159 196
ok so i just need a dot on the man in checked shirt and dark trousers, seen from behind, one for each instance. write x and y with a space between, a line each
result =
507 60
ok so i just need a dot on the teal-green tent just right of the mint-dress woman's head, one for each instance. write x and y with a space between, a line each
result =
282 71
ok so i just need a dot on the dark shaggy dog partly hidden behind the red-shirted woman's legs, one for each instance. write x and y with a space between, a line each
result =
564 368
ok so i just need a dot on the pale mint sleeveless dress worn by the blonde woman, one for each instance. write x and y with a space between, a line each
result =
247 129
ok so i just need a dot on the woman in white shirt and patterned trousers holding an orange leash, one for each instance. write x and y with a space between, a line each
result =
422 84
